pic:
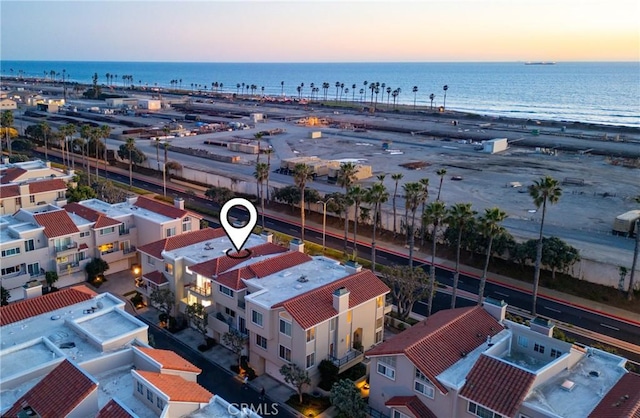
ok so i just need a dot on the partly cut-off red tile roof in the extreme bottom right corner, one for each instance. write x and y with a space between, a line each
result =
622 401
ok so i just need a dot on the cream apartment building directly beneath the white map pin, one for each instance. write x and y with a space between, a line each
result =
294 308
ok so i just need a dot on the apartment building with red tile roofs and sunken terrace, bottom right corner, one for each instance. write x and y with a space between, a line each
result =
472 362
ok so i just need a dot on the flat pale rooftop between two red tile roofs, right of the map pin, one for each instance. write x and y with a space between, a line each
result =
285 284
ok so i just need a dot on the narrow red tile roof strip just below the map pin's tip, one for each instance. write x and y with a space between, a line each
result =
233 278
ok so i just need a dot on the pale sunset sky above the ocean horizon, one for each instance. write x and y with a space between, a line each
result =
321 31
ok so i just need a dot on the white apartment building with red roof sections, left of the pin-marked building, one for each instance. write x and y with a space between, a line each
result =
64 239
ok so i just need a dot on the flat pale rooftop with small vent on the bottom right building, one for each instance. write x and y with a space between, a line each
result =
593 376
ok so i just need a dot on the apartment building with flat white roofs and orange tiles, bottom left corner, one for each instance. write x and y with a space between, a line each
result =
74 353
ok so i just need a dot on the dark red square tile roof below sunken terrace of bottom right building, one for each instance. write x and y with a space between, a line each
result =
497 385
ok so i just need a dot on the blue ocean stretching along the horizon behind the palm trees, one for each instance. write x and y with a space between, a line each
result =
590 92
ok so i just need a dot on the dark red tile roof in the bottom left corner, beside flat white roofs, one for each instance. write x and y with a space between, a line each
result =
50 398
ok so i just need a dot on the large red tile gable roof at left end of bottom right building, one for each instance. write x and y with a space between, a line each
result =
437 343
